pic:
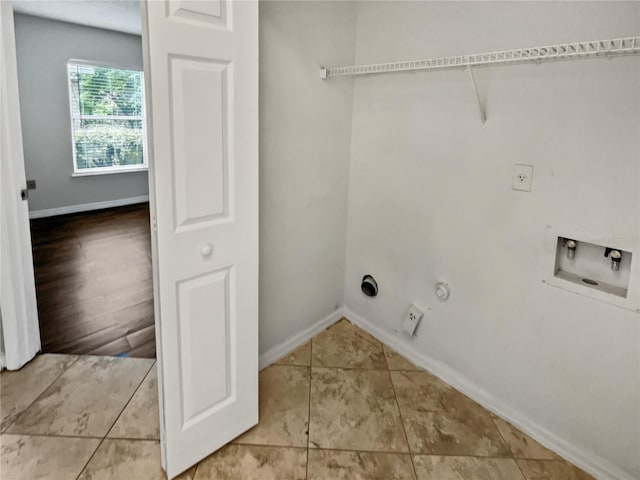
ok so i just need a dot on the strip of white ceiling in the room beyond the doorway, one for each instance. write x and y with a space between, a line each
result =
118 15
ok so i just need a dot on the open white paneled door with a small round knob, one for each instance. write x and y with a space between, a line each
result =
201 68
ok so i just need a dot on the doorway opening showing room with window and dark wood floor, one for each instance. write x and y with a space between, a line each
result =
84 139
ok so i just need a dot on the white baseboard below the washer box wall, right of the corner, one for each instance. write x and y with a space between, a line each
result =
599 467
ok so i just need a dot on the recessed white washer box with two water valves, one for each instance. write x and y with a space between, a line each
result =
588 269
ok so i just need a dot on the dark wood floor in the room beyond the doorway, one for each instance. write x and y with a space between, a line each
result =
94 282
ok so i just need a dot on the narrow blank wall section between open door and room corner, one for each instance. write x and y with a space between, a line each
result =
305 127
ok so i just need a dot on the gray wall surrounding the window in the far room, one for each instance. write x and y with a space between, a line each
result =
43 48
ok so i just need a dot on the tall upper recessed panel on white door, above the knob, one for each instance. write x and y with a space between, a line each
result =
211 130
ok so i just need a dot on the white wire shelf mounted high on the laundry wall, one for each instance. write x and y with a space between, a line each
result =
564 51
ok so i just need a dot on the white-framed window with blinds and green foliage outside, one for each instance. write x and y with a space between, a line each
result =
107 118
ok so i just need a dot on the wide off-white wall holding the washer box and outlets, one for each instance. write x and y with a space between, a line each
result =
431 199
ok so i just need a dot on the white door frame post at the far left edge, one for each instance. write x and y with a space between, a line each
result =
19 314
